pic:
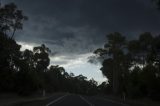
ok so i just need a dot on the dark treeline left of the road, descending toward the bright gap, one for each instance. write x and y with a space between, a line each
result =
26 72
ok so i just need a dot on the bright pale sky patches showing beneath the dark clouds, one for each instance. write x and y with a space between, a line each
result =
75 63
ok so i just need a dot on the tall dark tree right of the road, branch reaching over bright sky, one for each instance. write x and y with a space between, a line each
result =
113 49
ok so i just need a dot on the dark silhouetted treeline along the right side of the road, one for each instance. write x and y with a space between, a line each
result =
132 67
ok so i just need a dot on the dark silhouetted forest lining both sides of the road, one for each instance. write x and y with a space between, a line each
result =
131 66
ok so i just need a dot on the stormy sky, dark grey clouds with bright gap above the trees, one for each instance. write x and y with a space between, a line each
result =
73 29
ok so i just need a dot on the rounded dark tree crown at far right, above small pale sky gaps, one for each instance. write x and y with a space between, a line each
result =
141 49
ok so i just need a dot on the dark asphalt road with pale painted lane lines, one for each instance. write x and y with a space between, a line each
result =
72 100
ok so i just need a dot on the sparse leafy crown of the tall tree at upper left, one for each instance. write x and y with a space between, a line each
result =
11 18
